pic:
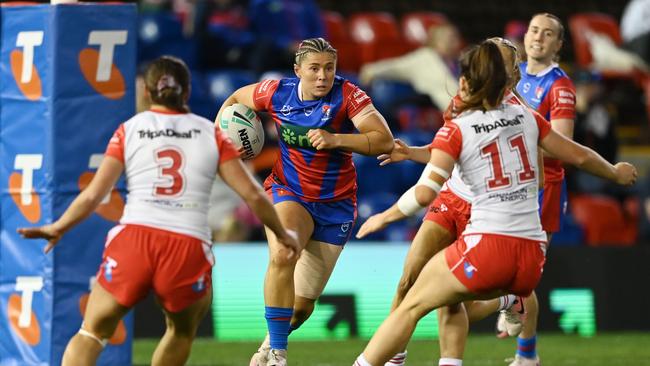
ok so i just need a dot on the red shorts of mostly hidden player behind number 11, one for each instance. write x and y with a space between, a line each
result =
449 211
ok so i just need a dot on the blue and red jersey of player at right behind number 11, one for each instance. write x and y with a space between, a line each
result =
552 94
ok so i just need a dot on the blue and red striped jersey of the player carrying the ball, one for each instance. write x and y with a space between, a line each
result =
312 175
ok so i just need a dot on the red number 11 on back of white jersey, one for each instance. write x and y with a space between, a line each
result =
501 179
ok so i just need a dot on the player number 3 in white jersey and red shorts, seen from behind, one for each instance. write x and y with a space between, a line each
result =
163 241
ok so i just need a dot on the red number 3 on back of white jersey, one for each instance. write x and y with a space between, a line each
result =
170 171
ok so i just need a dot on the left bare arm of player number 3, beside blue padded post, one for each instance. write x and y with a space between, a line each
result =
86 202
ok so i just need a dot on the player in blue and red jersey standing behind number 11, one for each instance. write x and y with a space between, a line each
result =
546 88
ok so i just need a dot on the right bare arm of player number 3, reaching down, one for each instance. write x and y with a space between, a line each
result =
240 180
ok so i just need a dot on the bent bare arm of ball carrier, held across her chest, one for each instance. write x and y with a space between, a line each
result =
374 136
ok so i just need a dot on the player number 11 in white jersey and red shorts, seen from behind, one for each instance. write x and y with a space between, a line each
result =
501 250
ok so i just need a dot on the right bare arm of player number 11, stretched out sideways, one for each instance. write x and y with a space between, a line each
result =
588 160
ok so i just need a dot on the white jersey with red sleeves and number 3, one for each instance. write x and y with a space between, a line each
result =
170 161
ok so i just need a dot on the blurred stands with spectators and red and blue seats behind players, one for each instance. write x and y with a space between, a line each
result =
381 46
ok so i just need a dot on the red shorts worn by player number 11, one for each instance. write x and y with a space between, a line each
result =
488 262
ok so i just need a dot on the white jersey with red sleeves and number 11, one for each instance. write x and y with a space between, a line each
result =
496 155
